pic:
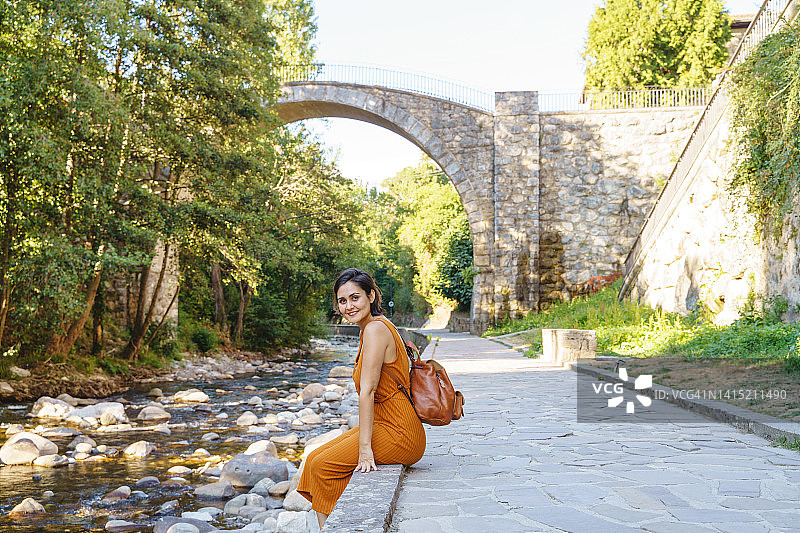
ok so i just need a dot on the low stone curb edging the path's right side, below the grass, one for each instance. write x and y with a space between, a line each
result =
768 427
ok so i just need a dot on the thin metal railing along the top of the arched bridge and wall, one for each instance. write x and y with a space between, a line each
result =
648 97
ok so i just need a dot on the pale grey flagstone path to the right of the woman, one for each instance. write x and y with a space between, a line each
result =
519 461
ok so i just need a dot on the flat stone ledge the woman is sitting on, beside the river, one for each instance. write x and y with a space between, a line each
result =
368 502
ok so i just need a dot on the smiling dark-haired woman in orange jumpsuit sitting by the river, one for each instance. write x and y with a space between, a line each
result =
388 430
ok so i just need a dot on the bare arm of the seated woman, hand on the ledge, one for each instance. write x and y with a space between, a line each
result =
376 340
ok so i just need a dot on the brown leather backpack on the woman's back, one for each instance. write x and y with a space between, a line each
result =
434 399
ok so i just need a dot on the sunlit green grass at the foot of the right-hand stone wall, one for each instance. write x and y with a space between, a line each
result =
628 329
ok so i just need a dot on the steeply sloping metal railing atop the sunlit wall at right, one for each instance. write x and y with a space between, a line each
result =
770 17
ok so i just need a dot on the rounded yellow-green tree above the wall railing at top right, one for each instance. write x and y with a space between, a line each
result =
667 43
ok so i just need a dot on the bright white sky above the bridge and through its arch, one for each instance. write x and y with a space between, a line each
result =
500 45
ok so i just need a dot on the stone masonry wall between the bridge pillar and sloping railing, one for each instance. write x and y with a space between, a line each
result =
601 172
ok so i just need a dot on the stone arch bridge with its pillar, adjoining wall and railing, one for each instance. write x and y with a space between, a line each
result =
553 197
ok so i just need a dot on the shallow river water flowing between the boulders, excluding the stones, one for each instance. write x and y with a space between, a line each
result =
78 489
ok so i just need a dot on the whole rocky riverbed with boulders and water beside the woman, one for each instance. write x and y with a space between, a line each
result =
173 449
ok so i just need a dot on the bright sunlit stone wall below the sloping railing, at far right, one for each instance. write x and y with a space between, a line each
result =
708 251
